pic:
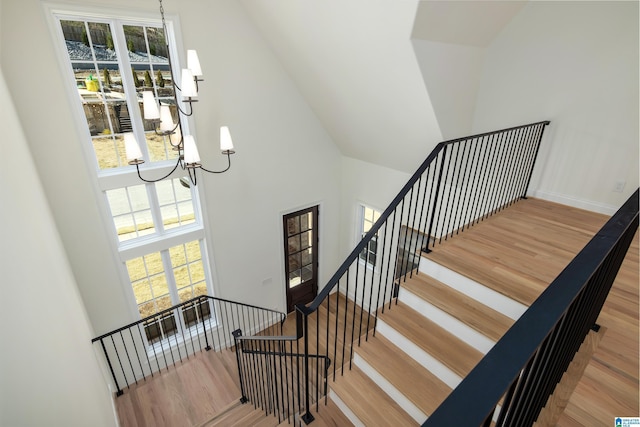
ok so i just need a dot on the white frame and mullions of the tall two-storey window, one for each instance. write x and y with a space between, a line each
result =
104 180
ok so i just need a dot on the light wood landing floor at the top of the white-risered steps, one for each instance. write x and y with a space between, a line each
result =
548 237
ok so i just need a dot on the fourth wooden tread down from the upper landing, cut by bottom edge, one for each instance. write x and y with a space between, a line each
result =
367 401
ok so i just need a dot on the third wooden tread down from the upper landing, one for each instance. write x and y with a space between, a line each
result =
417 384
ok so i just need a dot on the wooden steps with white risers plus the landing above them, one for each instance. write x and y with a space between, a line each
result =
450 312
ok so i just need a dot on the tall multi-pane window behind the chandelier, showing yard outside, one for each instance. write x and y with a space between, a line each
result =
157 227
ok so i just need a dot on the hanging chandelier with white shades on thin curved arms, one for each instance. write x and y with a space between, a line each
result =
161 119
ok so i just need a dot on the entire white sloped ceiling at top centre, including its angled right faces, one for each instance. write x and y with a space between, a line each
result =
368 68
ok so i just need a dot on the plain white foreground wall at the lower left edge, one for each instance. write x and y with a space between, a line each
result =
49 373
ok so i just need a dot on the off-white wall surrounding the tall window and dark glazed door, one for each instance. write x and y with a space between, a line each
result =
285 159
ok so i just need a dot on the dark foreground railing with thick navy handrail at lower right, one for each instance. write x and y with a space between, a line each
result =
512 383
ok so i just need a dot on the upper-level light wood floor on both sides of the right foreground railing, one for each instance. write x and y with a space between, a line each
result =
519 252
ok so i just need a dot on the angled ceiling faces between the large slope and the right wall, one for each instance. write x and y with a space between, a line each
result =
450 39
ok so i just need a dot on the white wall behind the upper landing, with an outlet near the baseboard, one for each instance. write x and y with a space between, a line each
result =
576 64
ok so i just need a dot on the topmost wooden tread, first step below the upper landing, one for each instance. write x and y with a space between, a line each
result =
466 309
